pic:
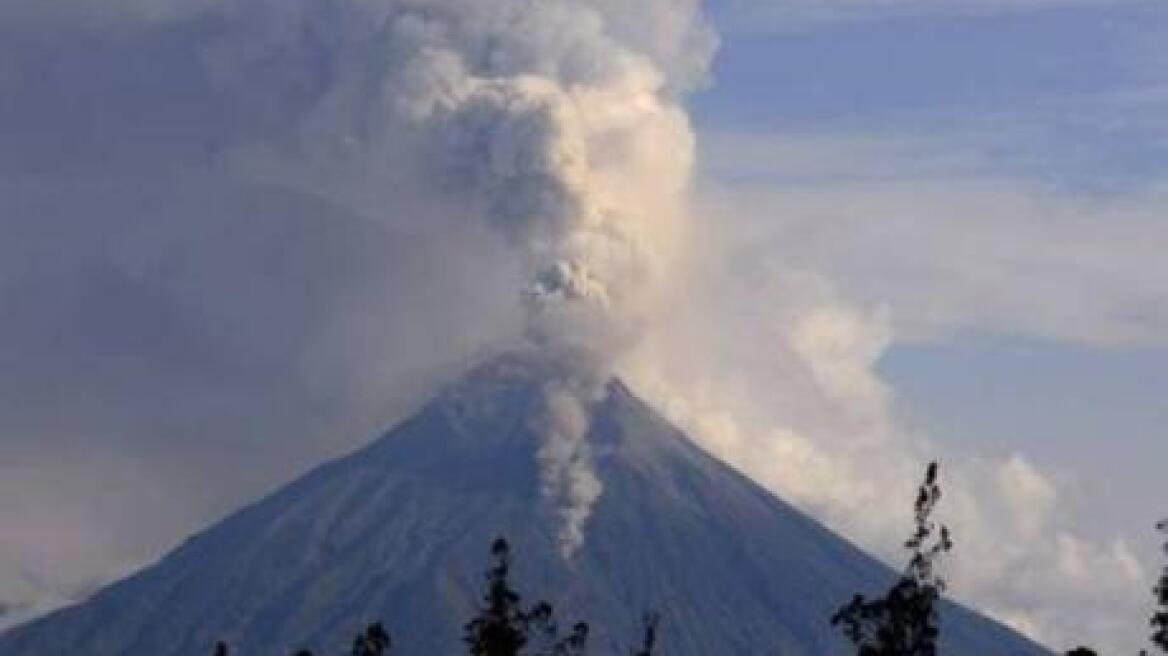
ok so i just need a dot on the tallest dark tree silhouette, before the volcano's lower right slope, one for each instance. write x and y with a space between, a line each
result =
905 622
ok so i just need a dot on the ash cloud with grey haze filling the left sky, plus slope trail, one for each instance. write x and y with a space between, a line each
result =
287 214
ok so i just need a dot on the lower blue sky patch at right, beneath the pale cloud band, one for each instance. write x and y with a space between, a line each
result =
1094 417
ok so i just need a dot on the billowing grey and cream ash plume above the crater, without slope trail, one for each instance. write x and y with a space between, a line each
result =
540 121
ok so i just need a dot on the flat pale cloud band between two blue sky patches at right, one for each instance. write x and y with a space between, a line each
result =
953 250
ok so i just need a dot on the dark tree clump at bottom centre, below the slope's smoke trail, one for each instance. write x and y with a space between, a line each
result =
504 627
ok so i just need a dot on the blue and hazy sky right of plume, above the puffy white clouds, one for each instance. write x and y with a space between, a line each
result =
993 176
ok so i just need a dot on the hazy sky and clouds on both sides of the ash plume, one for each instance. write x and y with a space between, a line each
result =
943 219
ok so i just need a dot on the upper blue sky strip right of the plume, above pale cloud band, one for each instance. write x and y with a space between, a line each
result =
1074 94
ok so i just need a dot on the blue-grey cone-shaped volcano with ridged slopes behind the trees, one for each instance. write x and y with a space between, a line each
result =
400 531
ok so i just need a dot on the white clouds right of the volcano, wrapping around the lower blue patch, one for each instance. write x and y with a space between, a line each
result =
831 247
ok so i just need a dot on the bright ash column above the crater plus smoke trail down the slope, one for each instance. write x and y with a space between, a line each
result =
571 145
